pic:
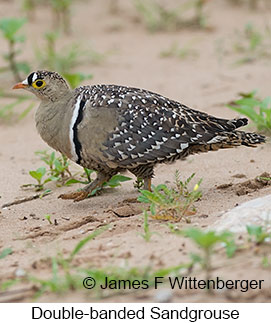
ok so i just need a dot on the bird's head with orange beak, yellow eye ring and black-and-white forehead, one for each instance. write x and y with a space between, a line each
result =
45 85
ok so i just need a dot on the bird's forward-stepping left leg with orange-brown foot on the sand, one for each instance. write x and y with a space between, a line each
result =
86 191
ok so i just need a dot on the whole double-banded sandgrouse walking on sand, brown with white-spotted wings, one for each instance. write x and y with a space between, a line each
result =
112 128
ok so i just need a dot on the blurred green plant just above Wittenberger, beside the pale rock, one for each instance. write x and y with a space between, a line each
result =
207 241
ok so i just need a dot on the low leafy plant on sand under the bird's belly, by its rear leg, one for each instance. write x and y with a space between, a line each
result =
172 203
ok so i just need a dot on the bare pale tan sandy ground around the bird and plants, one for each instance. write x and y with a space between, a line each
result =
204 82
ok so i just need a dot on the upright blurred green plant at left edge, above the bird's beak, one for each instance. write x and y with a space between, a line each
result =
10 28
